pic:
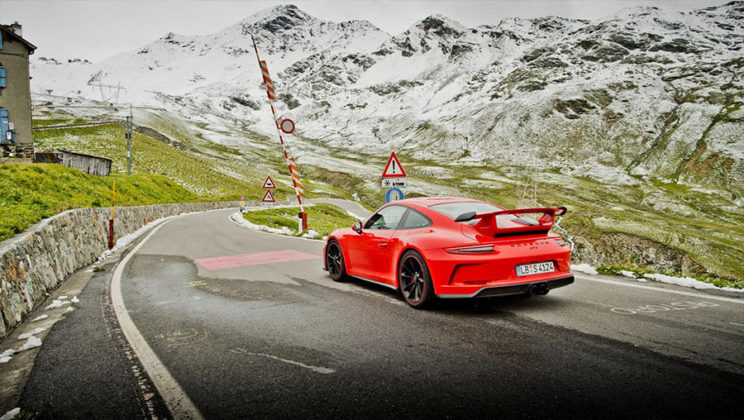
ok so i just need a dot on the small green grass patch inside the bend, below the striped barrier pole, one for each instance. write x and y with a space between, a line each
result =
322 218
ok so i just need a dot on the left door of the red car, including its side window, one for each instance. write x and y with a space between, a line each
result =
370 253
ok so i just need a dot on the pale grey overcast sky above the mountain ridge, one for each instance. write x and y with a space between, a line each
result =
98 29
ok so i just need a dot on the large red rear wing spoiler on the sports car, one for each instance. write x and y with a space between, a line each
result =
489 225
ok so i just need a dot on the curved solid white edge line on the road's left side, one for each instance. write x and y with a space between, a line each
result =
179 404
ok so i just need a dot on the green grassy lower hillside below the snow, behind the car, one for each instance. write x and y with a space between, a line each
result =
627 224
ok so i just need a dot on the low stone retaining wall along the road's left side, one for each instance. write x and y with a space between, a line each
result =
38 260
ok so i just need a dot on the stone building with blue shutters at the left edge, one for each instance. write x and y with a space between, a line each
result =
16 135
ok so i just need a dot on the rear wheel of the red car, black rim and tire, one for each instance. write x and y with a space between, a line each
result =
414 280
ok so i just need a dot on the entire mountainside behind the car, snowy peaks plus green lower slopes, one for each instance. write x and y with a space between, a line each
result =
633 121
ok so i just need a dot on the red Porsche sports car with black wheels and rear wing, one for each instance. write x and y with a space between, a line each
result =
452 248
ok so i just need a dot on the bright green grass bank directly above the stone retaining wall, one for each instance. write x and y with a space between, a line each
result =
31 192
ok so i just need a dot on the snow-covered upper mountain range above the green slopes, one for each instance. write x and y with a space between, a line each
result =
642 92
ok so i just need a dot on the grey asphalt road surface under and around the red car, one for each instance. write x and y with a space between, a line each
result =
247 338
